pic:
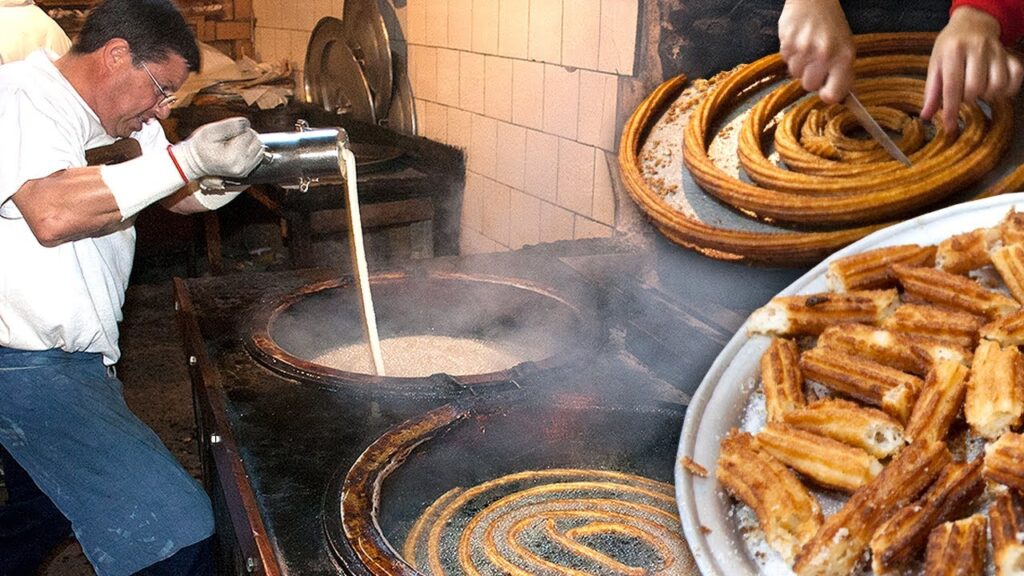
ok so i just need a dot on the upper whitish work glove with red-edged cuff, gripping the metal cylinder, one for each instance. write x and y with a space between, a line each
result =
227 148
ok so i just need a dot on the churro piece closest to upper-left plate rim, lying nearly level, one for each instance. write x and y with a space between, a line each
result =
869 271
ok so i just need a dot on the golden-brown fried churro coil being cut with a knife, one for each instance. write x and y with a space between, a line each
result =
828 173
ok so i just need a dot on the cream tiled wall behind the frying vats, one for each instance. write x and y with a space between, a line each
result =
528 89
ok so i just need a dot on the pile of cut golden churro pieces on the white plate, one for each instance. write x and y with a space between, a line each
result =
903 387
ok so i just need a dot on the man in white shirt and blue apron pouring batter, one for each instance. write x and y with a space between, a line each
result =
68 244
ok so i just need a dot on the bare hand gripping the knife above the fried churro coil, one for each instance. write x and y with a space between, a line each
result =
817 44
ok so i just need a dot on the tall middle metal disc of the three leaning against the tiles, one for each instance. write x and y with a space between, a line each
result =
367 36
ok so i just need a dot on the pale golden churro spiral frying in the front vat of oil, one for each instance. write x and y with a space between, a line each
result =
558 523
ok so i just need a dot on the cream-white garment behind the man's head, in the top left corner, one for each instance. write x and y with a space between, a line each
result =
25 28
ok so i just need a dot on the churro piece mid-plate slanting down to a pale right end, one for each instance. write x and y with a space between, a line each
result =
866 381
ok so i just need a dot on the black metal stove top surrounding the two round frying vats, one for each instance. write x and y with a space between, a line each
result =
276 450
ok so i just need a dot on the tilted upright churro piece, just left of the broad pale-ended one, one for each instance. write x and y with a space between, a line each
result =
940 402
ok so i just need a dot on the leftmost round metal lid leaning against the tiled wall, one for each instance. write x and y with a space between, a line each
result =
334 78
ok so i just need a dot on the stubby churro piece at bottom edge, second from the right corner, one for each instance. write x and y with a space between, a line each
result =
957 549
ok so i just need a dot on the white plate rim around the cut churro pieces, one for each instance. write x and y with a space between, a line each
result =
722 399
